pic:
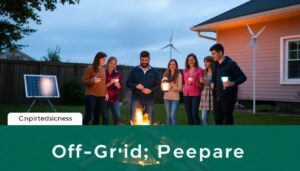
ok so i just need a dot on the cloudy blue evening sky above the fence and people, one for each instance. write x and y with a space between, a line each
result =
123 28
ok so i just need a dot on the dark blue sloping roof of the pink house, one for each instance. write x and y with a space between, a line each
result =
251 7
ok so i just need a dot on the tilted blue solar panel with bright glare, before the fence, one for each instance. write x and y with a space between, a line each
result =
41 86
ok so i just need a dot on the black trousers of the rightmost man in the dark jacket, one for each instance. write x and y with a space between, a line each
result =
223 110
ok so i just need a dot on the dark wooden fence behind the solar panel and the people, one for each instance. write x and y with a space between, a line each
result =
12 91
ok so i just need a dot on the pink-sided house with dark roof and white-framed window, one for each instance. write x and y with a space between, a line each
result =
278 57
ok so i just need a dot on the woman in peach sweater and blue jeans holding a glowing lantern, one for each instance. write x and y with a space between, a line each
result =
172 85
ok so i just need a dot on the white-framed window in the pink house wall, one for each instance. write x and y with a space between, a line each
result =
290 60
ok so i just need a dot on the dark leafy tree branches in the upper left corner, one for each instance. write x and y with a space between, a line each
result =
15 16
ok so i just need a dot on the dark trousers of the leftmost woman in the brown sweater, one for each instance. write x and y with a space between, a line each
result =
94 107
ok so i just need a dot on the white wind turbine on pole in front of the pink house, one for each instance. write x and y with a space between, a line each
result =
254 45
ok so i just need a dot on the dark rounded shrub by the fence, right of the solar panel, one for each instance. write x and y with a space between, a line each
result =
73 93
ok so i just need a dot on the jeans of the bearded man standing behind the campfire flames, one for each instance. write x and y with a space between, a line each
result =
146 105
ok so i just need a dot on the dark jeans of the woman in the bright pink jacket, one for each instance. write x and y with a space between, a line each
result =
191 104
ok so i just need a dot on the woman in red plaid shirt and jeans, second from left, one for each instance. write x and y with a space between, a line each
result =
114 87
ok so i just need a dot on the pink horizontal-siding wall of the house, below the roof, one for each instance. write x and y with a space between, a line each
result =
268 58
